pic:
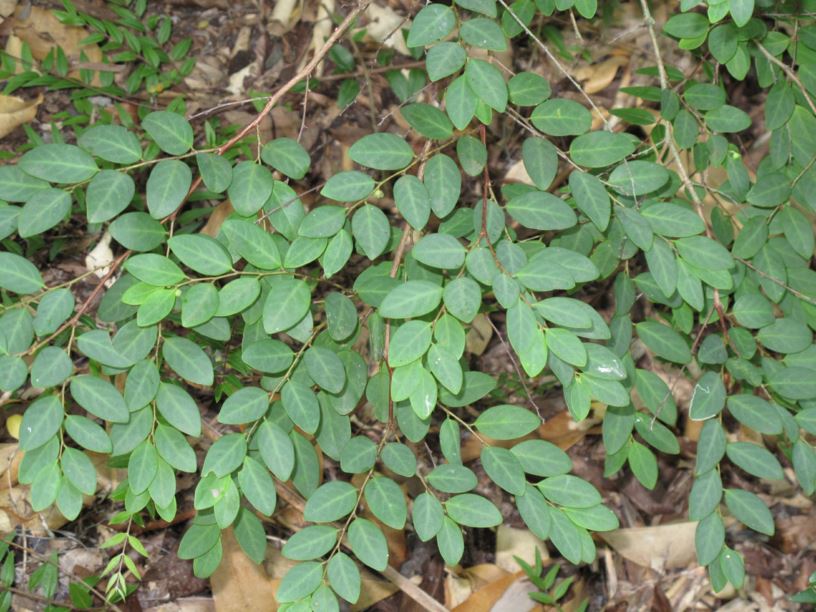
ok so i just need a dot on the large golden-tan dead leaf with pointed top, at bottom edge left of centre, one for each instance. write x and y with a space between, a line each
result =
239 584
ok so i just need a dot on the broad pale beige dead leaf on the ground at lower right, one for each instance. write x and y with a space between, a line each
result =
669 546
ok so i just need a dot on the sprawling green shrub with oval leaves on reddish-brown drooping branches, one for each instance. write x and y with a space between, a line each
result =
336 336
